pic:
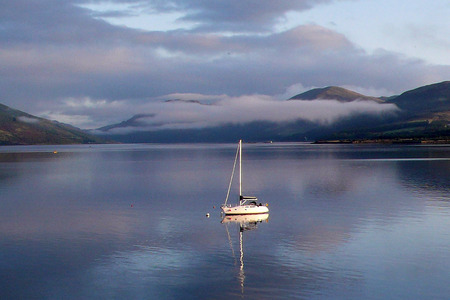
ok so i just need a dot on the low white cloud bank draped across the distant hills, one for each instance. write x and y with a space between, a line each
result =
245 109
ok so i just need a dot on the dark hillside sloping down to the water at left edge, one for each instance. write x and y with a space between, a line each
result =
20 128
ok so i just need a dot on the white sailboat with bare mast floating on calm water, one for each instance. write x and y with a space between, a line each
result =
247 204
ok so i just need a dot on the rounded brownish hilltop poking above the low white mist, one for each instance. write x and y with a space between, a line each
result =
334 93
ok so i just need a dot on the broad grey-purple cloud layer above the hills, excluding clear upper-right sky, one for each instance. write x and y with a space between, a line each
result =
55 50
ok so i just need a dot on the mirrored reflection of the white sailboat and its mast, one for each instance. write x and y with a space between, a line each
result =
245 222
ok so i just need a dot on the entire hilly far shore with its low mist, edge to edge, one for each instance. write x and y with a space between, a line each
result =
324 114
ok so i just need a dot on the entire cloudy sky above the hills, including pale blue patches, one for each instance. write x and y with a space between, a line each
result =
92 63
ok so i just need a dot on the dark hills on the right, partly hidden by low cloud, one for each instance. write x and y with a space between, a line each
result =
424 116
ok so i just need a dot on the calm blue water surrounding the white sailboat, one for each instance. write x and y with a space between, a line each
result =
128 222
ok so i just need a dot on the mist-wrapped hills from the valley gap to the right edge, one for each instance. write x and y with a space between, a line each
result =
318 114
